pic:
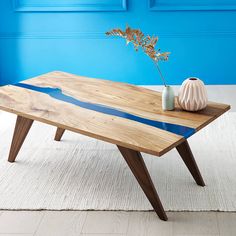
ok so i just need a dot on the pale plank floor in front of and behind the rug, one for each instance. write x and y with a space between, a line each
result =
104 223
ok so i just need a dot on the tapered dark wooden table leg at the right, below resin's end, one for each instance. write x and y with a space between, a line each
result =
188 158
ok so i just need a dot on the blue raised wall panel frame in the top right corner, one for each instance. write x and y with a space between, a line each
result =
201 5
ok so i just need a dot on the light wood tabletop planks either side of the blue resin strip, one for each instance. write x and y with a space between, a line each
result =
129 98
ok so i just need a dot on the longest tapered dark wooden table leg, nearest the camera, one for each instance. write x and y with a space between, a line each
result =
140 171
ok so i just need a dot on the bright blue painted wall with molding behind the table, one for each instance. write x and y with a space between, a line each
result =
38 36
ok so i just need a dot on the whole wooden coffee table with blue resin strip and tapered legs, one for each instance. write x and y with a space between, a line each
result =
128 116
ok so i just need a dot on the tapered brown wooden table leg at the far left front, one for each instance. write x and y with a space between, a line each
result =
22 128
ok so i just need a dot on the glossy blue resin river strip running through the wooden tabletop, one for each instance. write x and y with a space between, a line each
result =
58 94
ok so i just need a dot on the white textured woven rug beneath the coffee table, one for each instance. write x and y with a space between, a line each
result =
81 173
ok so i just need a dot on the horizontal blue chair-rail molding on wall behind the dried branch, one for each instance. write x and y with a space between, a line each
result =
101 35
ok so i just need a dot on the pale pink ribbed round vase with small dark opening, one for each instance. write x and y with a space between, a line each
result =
192 95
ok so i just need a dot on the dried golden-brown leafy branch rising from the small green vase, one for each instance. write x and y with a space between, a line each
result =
146 43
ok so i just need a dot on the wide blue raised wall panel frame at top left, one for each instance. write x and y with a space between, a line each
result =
73 6
